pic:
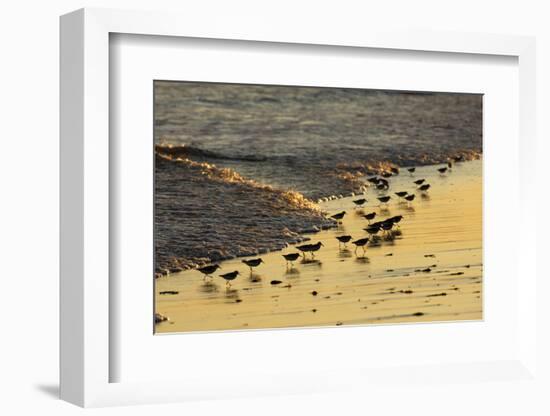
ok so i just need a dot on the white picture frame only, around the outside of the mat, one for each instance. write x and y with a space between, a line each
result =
86 356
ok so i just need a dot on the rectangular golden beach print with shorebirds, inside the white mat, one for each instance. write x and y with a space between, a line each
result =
287 206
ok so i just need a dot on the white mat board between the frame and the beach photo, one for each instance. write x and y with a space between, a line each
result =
137 61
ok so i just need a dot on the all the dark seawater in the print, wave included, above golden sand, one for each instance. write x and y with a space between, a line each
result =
311 140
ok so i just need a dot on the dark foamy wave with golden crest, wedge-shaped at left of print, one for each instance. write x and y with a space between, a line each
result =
242 217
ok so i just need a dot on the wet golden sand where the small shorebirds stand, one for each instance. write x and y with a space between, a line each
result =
431 272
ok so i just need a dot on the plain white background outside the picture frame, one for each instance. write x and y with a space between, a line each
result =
29 209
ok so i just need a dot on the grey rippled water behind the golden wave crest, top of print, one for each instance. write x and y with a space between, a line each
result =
302 138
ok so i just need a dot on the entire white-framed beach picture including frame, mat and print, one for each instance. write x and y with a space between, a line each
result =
262 213
